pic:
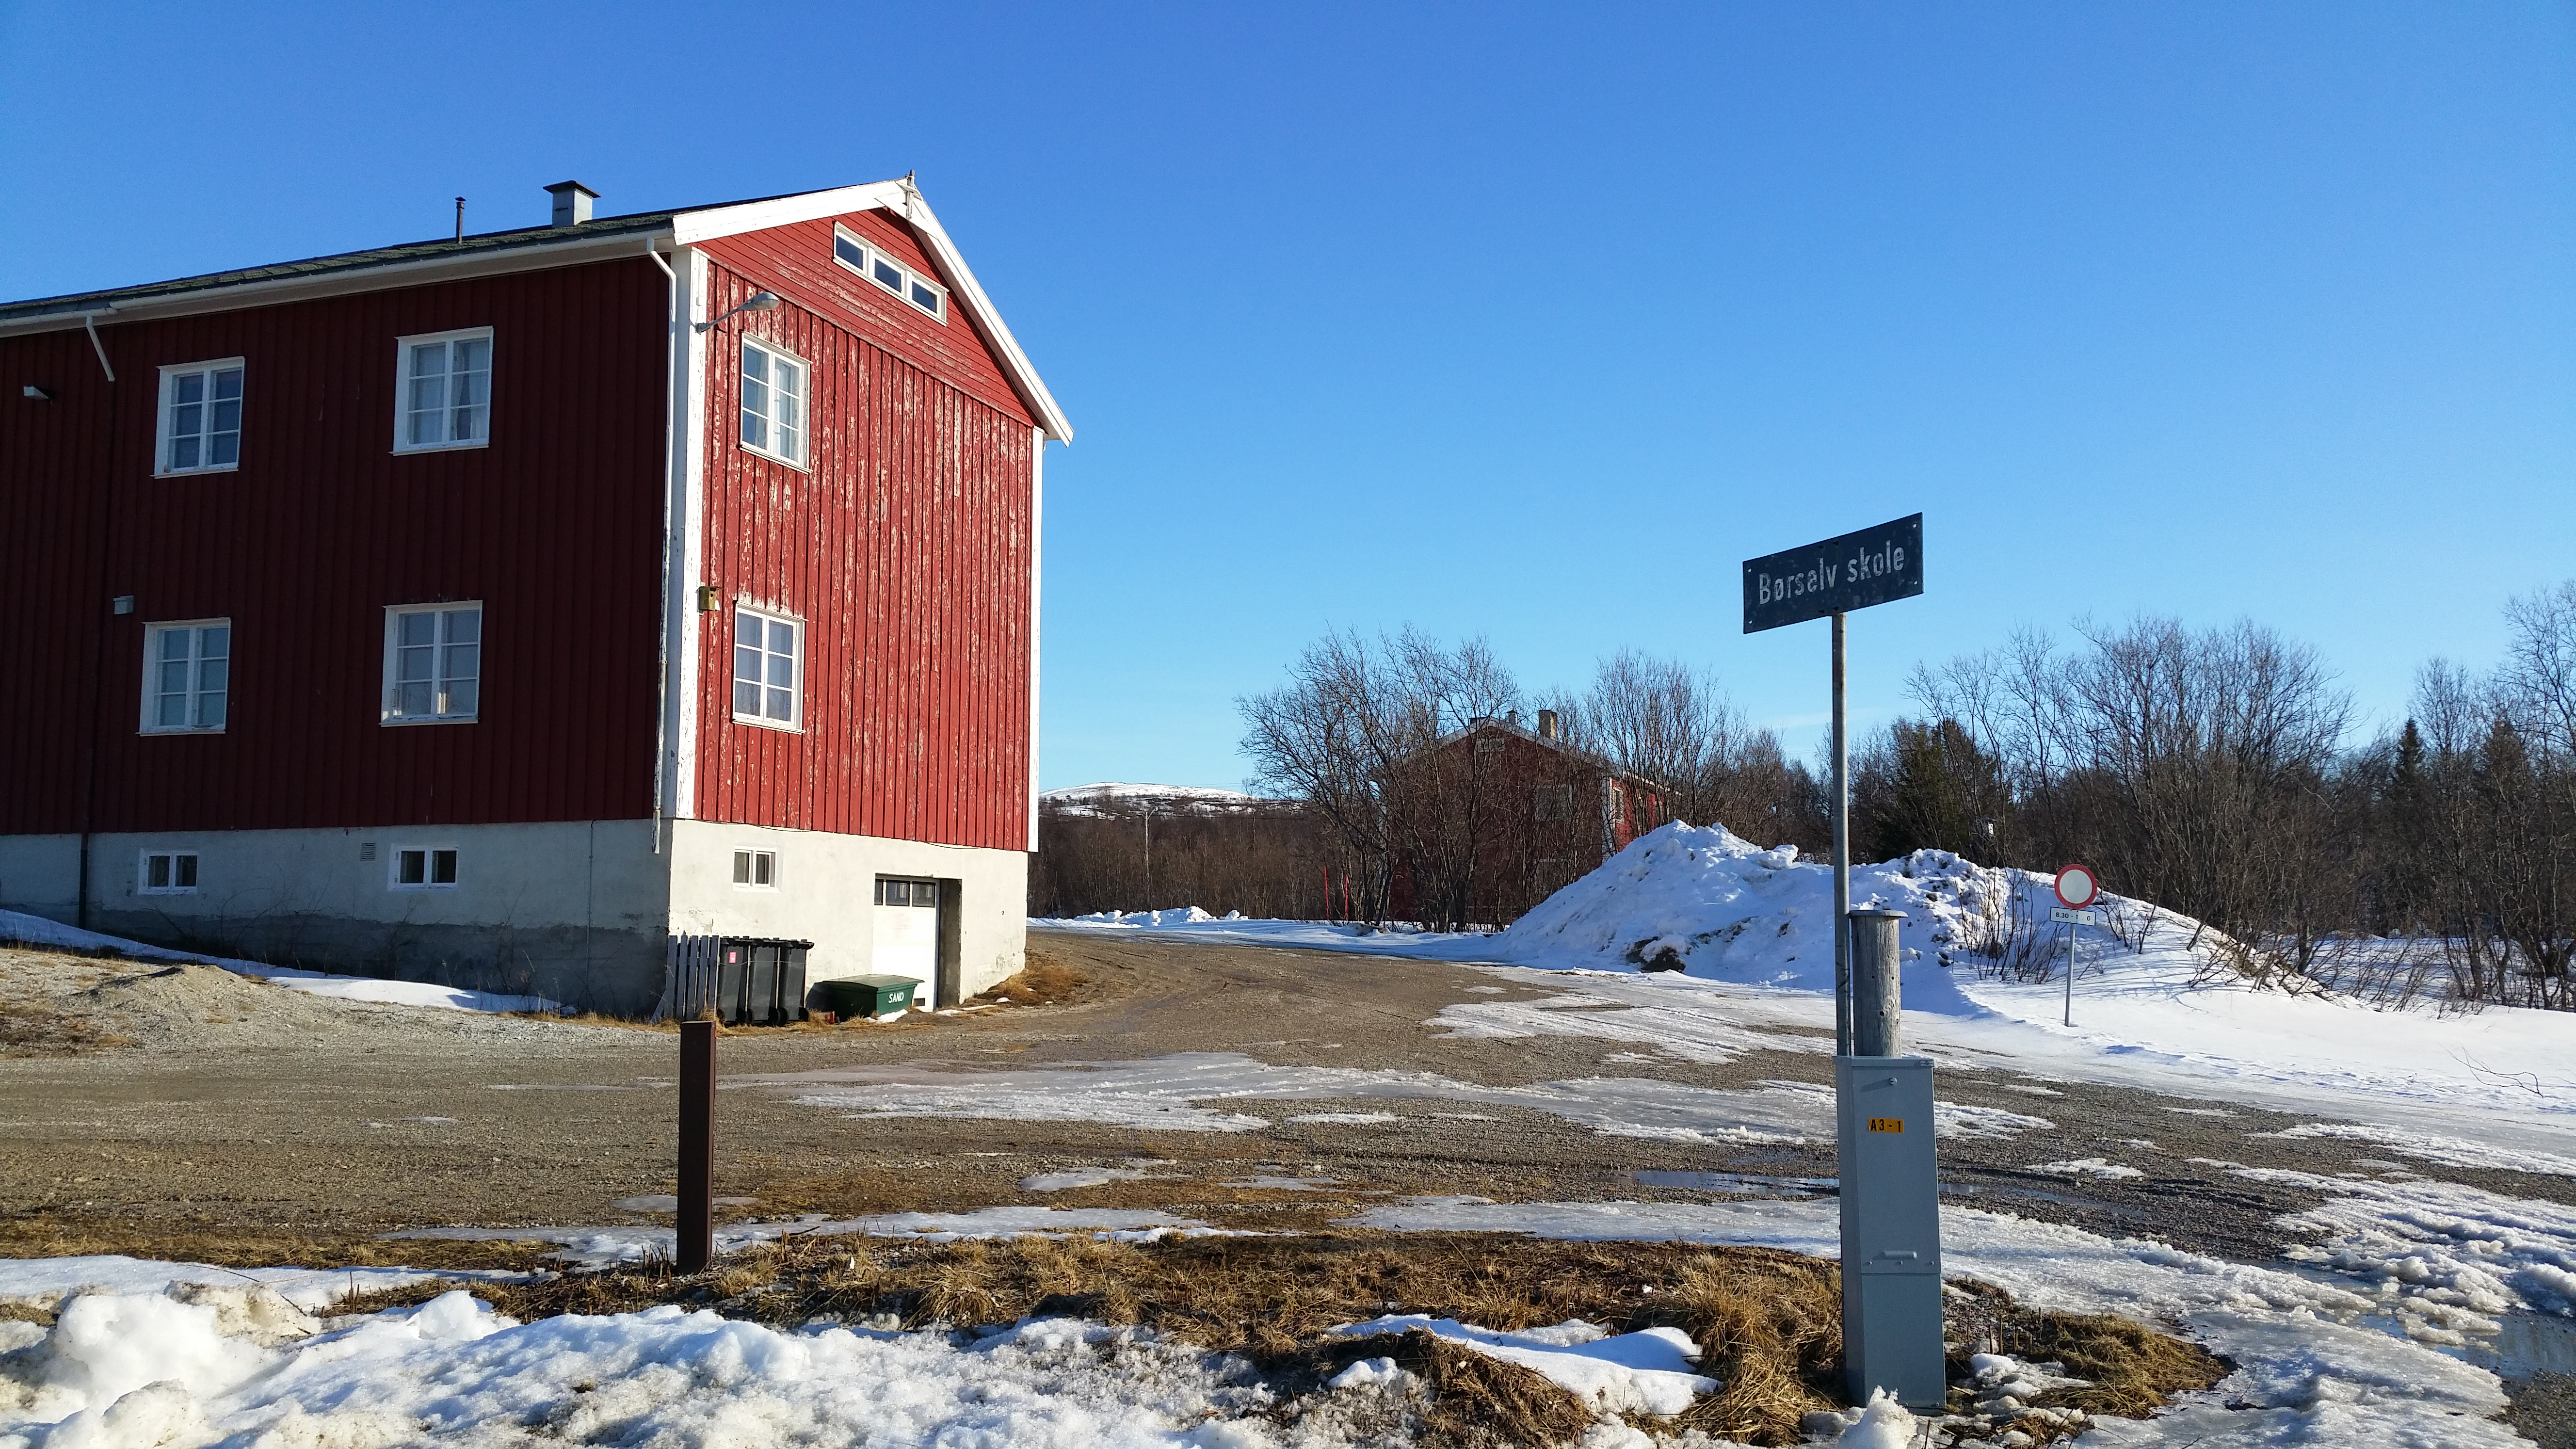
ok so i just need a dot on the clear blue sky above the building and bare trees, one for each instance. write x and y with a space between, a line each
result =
1537 321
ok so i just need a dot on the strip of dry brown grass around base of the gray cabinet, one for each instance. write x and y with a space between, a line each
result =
1768 1324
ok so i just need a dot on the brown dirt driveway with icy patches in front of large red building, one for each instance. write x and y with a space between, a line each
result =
254 1115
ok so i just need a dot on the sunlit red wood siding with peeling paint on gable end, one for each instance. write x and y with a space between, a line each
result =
905 550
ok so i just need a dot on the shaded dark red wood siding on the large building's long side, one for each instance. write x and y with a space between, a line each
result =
558 527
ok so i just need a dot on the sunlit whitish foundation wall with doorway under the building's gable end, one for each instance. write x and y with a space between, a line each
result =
828 896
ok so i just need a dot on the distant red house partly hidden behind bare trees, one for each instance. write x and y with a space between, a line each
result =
1498 819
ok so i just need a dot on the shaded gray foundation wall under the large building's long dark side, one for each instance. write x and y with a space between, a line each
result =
573 911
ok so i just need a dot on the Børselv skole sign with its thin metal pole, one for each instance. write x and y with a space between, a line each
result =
1828 581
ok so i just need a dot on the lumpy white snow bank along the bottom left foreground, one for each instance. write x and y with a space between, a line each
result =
125 1370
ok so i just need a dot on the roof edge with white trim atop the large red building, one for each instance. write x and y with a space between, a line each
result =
532 249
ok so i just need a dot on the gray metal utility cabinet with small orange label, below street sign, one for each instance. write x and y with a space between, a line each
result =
1889 1231
